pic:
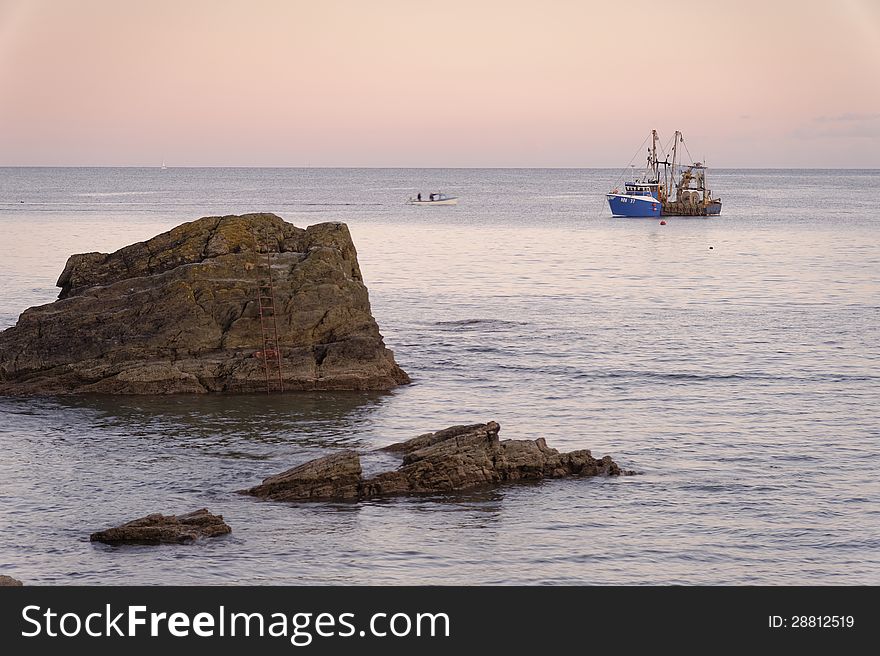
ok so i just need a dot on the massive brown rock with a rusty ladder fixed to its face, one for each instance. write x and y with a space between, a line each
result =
180 313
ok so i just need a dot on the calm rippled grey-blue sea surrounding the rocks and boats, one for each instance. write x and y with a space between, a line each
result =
734 362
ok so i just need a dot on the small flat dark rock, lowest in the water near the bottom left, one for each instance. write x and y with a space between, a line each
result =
165 529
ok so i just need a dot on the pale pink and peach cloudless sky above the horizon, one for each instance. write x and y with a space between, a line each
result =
443 83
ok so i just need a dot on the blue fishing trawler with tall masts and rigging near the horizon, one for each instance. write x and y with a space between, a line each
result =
648 195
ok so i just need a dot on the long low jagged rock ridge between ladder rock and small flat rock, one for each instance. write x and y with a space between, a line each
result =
457 458
